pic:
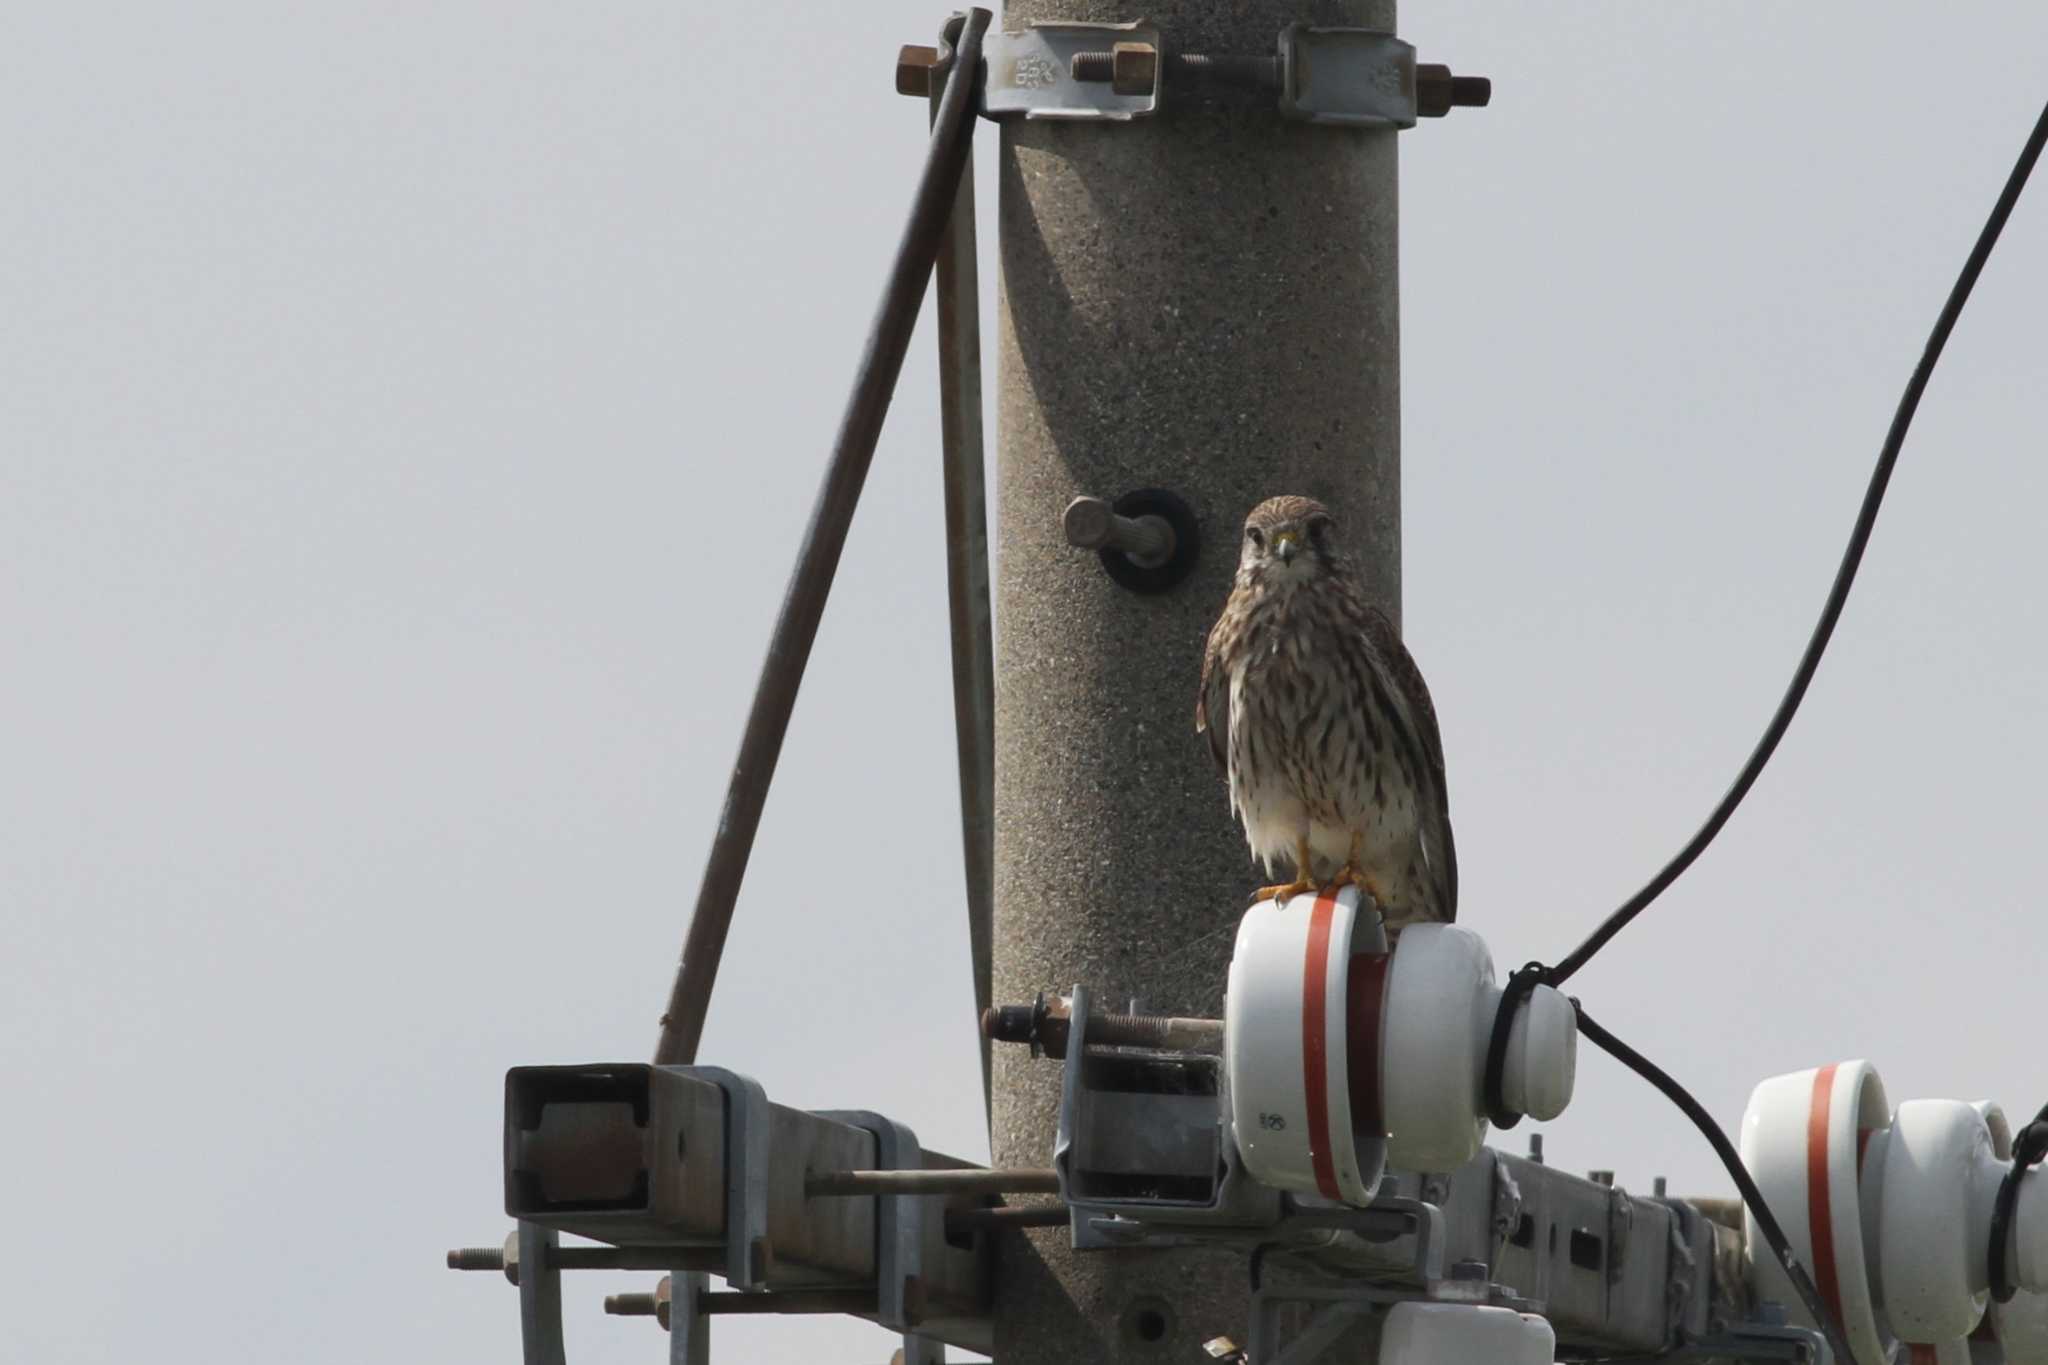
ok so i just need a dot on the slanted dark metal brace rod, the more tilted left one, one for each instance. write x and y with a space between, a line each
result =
824 539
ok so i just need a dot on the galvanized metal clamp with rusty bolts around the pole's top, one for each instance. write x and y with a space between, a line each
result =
1121 73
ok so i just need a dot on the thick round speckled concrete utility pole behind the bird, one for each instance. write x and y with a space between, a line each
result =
1201 302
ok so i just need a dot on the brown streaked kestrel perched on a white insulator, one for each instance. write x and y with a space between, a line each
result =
1322 723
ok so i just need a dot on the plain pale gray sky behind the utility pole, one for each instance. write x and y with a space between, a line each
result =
407 421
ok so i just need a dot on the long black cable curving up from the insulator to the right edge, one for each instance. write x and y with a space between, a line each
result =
1844 576
